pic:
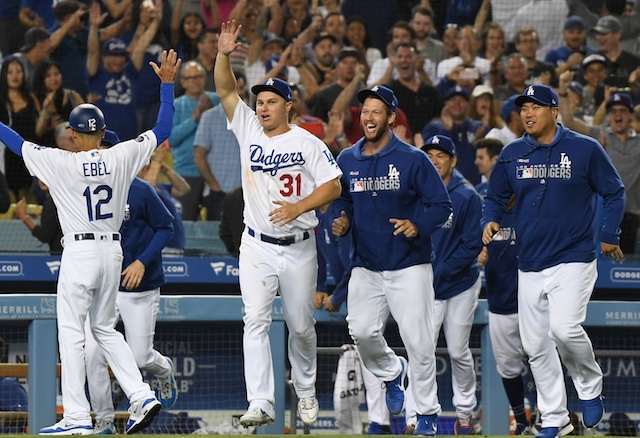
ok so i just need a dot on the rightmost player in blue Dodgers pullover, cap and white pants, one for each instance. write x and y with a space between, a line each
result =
555 175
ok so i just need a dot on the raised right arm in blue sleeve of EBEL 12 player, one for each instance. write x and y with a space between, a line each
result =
167 72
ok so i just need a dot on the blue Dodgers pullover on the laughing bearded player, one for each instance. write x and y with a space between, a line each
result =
398 182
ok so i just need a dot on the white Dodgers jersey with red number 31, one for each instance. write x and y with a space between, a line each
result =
287 167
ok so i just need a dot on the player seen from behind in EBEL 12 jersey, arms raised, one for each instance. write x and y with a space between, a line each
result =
89 189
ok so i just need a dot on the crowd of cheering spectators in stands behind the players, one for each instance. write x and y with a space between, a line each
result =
454 67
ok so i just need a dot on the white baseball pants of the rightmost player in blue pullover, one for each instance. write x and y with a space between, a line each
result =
552 305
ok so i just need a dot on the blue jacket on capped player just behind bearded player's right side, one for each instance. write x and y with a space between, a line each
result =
457 244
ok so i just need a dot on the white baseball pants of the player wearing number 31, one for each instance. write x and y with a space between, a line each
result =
265 270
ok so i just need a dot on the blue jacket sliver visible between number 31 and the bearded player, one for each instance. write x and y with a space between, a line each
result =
334 253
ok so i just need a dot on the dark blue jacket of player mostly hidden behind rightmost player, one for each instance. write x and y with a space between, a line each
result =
501 270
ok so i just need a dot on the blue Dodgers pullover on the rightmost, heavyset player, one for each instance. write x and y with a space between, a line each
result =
556 187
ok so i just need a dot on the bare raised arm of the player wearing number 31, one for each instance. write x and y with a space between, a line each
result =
222 74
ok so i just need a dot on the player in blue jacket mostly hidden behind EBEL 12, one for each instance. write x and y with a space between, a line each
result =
146 229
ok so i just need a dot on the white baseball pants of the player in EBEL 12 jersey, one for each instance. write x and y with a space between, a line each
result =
88 286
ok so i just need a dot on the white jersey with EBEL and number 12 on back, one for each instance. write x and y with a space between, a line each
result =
84 185
